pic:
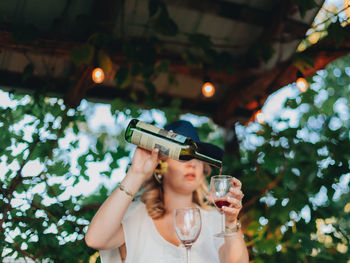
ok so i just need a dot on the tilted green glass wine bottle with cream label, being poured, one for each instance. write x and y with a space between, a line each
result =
170 144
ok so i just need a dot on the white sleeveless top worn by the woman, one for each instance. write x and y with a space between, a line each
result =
145 244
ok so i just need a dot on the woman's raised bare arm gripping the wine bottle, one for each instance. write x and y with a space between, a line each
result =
105 230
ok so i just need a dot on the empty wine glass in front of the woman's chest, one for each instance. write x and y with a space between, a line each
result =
188 225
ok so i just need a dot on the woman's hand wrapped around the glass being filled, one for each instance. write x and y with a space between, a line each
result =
234 197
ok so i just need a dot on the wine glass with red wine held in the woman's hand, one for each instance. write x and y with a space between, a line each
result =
220 187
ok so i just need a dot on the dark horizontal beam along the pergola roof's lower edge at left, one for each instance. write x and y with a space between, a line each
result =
13 82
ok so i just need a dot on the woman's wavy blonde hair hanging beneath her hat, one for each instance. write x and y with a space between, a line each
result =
153 198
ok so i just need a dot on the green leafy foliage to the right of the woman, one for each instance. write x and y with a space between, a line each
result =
290 178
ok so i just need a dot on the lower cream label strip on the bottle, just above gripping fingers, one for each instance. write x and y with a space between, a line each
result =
149 142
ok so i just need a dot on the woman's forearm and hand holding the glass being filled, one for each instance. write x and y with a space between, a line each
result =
234 250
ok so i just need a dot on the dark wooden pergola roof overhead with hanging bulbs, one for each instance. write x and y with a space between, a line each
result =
238 29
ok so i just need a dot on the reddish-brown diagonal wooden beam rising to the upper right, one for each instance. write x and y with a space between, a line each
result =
261 85
